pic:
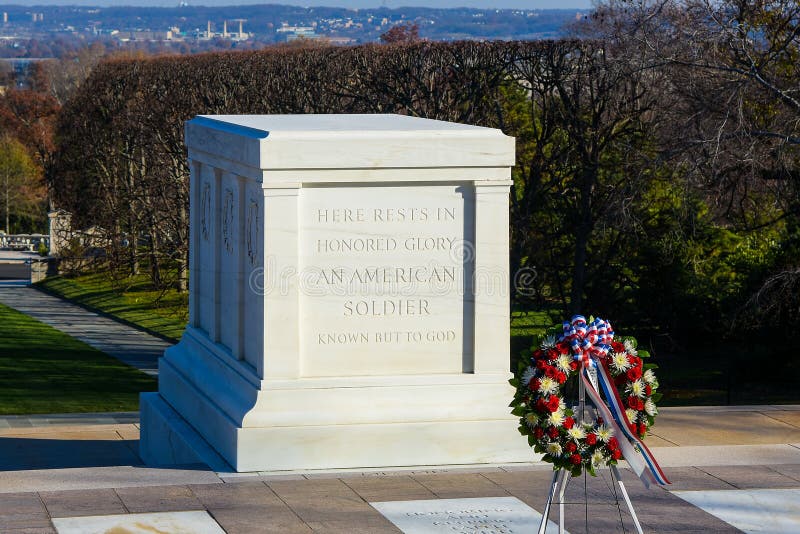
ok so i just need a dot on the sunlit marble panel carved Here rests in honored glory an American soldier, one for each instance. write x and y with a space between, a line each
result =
383 269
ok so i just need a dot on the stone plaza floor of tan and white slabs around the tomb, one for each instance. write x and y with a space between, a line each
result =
732 469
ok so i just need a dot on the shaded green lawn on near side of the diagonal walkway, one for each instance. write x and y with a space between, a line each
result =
43 370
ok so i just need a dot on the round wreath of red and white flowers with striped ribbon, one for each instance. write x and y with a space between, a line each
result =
580 351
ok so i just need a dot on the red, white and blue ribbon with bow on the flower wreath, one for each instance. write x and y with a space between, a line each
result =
590 343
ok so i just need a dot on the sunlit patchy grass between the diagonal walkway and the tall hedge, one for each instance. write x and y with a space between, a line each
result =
160 312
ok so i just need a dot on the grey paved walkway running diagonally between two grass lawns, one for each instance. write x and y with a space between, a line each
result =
132 346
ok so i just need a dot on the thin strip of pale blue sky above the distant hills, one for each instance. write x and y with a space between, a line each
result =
485 4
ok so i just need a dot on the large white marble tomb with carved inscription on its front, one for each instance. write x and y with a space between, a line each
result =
348 297
